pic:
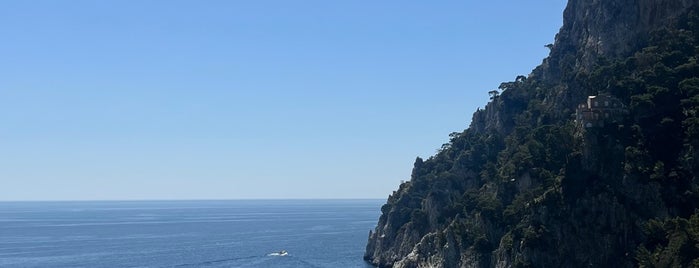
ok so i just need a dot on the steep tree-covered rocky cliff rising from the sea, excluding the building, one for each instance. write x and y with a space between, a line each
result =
525 185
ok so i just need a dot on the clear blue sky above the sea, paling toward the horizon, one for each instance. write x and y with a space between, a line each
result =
246 99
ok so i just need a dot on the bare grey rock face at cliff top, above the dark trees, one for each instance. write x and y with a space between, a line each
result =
594 30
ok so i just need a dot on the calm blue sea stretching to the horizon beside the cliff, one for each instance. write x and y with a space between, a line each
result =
220 233
